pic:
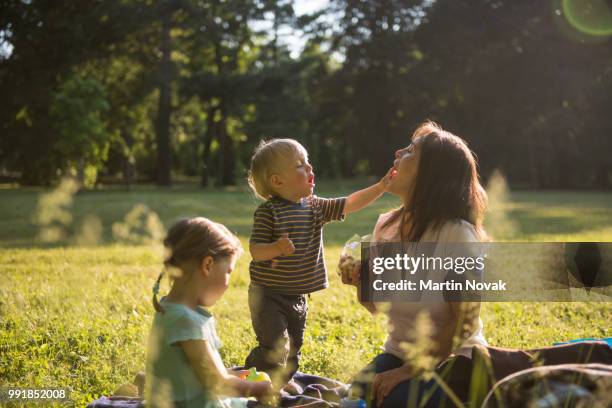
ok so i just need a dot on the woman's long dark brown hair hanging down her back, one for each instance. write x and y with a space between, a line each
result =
446 186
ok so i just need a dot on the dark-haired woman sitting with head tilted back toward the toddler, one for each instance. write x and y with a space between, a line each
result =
437 179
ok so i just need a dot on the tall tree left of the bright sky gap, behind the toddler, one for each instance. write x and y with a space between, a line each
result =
224 74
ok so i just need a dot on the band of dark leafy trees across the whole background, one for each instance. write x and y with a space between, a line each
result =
154 90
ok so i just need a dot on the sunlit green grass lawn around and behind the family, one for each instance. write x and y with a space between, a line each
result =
78 315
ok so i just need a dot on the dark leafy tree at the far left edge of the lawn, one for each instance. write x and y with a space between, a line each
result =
50 42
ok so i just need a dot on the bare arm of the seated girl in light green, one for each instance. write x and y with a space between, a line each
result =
214 376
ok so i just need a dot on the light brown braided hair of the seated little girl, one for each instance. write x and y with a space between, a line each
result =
189 241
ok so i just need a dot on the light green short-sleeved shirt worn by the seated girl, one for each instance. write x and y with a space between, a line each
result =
170 378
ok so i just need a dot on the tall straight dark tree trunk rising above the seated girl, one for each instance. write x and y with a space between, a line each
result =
164 155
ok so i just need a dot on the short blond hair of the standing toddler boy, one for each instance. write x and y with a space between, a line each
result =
265 162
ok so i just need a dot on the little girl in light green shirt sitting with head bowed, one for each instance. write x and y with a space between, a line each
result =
184 368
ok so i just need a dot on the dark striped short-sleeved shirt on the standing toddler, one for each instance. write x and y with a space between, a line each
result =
303 271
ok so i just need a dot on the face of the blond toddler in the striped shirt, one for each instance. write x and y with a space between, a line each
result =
295 178
